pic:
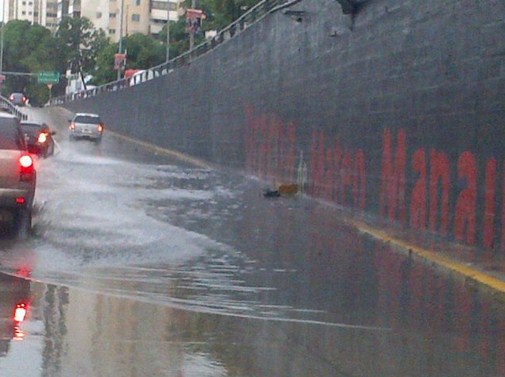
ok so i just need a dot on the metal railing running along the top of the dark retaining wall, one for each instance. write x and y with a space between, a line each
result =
246 20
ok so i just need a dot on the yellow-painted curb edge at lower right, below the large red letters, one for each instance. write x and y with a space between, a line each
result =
431 256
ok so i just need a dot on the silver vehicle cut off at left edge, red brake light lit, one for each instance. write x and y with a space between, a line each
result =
17 176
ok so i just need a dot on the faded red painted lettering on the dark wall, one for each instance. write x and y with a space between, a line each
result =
455 195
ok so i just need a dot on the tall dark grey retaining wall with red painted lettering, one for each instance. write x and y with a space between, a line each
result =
397 111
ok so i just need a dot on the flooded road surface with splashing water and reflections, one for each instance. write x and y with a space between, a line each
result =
142 265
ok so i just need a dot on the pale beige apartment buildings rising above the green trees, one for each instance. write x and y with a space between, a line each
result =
116 17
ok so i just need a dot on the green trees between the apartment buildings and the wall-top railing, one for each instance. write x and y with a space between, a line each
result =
78 47
